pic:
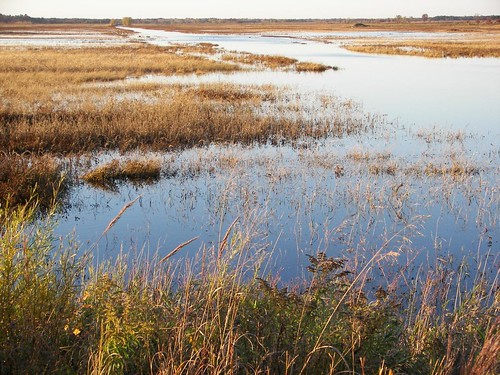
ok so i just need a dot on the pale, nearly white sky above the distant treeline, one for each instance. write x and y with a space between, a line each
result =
247 8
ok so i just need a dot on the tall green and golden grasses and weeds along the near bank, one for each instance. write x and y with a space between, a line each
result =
62 313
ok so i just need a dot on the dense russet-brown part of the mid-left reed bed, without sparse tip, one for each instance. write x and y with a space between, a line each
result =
184 121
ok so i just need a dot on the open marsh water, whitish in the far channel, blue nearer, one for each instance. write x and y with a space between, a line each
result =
290 202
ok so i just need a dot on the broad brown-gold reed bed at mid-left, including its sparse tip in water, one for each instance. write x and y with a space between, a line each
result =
175 117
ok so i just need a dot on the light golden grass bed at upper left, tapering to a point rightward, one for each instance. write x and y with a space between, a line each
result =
60 66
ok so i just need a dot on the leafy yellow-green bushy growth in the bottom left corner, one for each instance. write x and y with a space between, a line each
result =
39 288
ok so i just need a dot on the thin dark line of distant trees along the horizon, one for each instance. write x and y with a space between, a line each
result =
165 21
